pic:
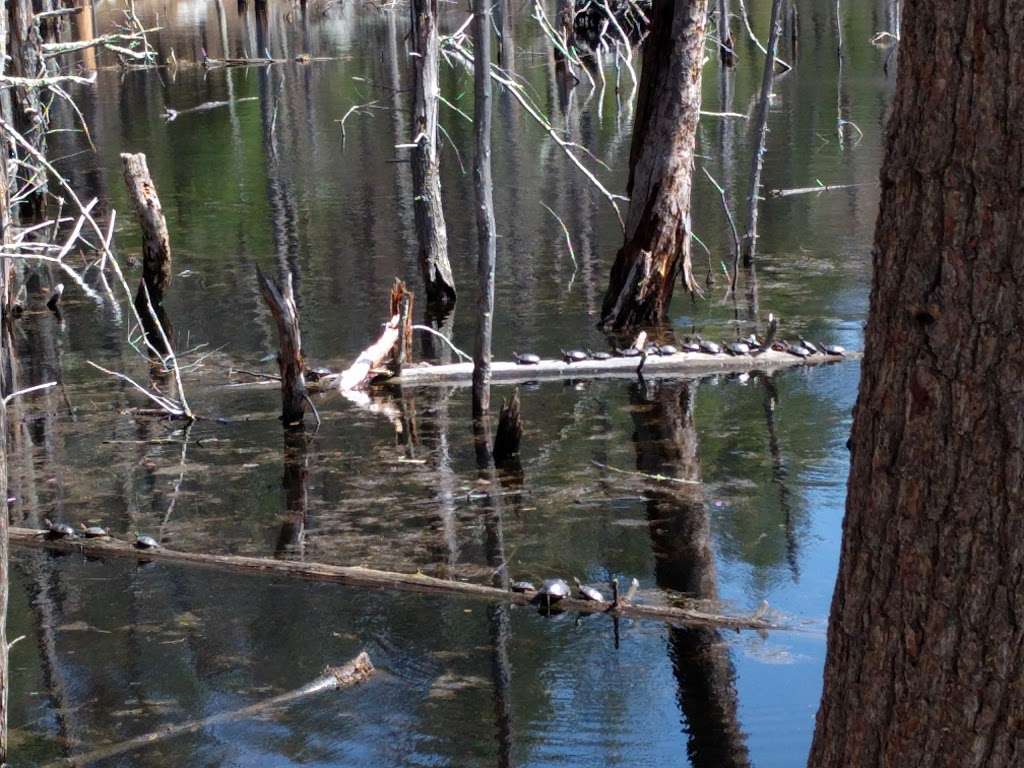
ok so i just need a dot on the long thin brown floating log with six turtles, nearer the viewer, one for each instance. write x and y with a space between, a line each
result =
357 575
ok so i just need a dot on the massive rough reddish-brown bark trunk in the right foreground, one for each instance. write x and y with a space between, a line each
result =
926 639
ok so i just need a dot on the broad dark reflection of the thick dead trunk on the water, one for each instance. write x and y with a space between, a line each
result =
667 444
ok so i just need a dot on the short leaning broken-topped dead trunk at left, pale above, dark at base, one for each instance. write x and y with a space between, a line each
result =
156 249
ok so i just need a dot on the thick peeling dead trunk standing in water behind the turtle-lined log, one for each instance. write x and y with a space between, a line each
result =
658 227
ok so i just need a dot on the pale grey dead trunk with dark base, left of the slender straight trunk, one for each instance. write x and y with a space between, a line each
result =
426 170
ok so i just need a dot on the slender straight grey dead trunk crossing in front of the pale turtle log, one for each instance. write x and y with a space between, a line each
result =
485 207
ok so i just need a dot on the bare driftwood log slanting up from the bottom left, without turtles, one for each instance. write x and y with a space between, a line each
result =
334 678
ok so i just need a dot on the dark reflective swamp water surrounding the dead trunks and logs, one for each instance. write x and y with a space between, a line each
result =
114 651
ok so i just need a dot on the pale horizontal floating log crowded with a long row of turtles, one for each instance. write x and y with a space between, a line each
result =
696 364
